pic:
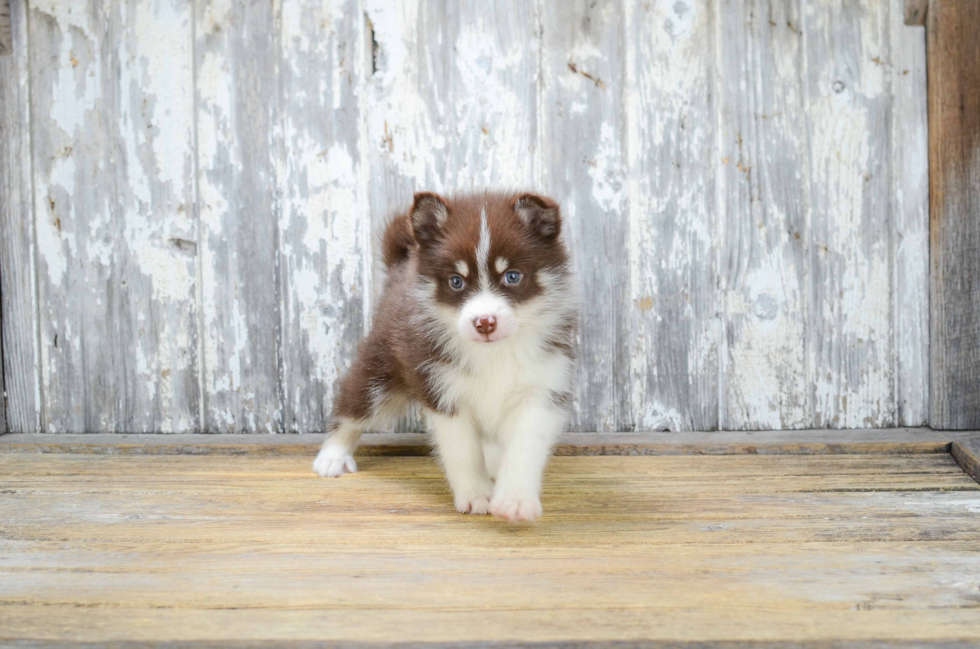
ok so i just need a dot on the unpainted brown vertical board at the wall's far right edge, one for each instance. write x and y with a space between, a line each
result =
954 190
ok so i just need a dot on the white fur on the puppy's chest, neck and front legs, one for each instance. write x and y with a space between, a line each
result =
506 422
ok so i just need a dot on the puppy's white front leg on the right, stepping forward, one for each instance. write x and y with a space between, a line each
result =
532 433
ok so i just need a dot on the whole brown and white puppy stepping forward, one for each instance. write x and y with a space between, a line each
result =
476 324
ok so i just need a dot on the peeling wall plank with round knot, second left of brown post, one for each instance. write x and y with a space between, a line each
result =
851 335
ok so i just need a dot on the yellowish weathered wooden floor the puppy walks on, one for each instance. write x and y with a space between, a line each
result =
686 548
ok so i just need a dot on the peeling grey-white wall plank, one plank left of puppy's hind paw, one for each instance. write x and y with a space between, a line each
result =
237 118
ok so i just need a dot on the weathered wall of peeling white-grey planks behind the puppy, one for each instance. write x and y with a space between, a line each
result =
190 215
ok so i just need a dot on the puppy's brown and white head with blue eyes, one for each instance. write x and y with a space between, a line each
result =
491 261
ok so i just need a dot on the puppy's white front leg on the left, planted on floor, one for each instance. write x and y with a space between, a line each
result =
461 452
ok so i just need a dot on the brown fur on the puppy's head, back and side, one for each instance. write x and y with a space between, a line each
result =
423 246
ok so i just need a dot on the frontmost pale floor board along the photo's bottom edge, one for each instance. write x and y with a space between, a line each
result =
729 621
